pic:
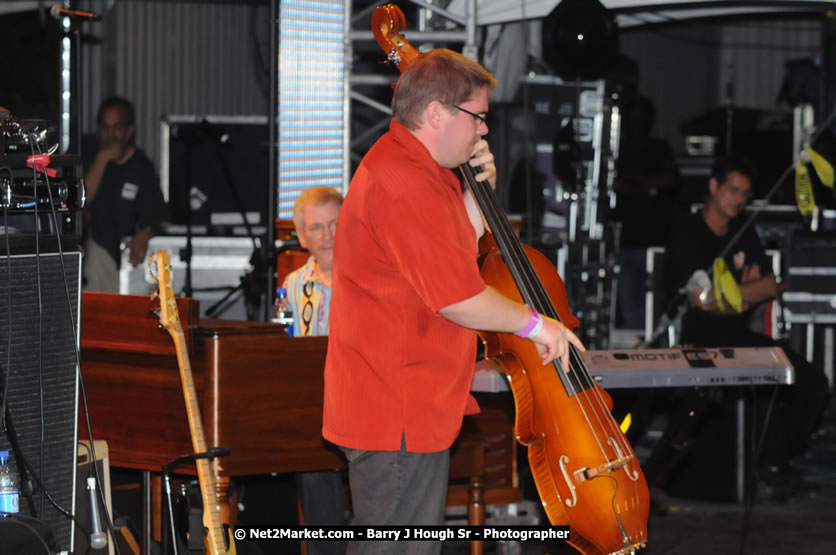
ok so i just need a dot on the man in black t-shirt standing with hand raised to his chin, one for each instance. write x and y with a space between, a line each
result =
124 200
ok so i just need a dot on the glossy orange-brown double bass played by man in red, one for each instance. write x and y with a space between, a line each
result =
585 470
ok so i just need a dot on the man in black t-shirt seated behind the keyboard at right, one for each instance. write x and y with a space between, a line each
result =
708 323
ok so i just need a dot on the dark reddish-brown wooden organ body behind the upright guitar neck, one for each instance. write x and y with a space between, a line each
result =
260 391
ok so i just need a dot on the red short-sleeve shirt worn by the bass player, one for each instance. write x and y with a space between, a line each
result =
404 249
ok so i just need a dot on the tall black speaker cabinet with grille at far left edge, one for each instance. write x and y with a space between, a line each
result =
39 332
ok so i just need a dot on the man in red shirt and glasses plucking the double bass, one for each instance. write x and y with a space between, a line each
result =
407 297
